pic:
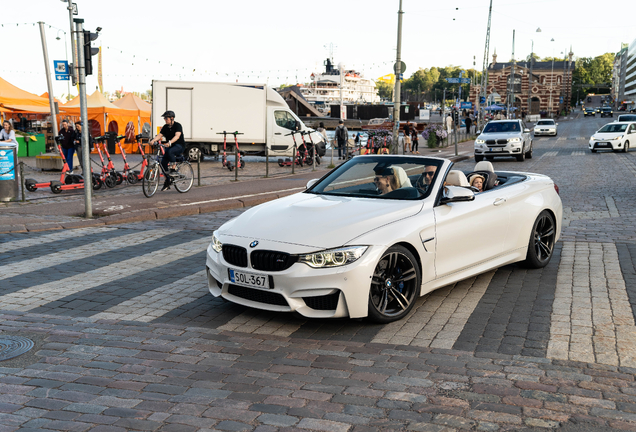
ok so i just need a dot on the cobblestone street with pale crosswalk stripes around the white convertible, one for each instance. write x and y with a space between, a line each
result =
129 339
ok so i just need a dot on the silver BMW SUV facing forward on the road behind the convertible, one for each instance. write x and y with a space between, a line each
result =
504 138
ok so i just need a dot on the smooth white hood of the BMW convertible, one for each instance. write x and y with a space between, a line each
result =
317 221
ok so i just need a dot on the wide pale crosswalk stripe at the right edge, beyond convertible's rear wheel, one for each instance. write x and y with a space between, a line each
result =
592 319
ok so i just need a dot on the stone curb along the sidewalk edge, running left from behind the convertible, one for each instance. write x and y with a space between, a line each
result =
159 212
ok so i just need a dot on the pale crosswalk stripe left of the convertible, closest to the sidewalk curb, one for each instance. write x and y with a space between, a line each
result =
43 262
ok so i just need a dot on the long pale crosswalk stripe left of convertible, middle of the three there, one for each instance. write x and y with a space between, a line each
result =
36 296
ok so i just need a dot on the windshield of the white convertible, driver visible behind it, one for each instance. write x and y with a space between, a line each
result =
382 177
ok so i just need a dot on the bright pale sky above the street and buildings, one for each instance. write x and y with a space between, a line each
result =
284 41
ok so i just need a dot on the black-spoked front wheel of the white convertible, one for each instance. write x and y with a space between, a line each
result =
395 285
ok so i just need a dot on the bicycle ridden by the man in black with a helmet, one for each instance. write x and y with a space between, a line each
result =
182 177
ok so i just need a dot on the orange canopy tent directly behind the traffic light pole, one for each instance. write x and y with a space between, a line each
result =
103 116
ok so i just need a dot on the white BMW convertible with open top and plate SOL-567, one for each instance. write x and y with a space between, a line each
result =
377 232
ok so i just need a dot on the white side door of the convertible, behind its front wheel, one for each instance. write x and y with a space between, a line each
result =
468 233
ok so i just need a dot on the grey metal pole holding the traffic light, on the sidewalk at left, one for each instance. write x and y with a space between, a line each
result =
86 162
